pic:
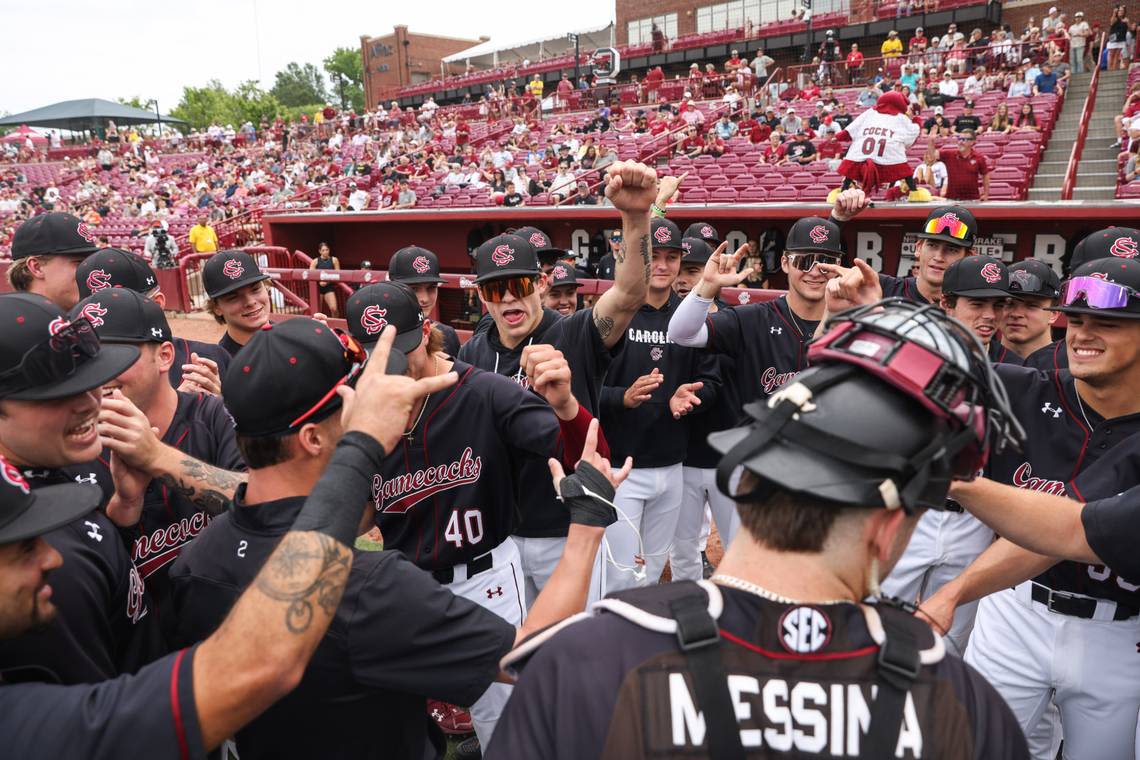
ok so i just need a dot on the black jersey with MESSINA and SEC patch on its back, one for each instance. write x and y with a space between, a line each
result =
801 677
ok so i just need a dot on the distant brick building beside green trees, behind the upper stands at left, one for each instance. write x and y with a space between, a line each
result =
404 58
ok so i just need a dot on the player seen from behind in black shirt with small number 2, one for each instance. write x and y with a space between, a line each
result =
369 677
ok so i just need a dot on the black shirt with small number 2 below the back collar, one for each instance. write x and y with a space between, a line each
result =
397 639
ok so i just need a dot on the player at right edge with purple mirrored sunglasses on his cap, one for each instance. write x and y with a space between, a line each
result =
1069 635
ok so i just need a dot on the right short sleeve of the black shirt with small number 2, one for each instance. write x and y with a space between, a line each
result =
444 647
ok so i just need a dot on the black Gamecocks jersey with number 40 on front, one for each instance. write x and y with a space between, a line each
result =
451 492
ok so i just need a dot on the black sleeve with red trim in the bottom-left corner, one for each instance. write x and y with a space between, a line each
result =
150 715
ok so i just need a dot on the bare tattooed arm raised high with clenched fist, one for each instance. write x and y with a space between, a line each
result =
632 187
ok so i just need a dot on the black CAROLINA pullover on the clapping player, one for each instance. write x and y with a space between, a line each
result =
649 432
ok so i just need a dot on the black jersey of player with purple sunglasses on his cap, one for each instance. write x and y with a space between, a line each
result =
1064 437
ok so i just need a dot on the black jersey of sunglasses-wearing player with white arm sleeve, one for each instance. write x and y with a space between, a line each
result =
768 341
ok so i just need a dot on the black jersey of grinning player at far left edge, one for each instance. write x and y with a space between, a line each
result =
105 624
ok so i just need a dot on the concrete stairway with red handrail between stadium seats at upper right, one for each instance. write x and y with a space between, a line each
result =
1097 171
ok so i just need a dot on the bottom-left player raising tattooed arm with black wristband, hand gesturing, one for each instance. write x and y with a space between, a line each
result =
189 702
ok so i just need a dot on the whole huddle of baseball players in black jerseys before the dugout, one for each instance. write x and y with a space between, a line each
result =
927 503
